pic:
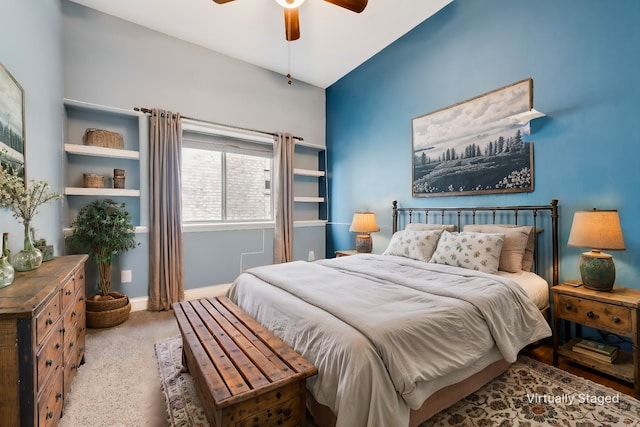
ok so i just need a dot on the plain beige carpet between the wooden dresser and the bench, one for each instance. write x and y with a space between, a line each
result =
118 385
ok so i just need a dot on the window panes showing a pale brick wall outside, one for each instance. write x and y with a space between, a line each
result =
248 189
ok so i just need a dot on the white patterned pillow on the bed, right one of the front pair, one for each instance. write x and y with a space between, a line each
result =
475 251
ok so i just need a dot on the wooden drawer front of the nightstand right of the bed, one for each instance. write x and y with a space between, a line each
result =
595 314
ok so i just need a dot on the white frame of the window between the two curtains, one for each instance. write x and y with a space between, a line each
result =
241 135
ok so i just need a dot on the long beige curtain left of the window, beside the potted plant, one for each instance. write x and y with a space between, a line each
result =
166 271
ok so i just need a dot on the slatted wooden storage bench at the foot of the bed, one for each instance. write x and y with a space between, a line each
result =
244 374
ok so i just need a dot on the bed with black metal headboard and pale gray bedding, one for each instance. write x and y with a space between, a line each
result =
397 337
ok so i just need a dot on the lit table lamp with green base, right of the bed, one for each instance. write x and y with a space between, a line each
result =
597 229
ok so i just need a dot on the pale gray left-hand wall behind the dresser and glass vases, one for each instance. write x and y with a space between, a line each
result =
31 52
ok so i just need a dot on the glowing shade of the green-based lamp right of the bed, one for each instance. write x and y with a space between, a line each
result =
596 229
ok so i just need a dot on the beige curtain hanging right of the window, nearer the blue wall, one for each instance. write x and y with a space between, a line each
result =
283 197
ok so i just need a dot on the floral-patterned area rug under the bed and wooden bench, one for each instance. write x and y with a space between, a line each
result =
530 393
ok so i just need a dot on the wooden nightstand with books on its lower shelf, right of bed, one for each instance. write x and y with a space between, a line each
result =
615 312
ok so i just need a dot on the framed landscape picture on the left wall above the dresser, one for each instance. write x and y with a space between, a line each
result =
12 116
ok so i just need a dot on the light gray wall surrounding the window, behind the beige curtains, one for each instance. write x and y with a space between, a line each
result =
112 62
